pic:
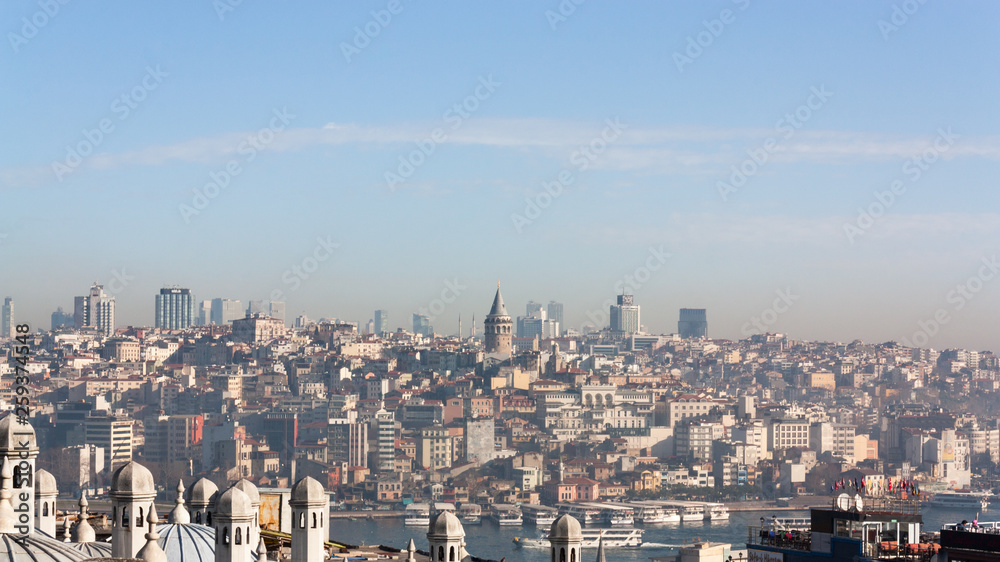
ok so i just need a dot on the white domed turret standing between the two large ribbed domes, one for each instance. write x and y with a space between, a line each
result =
132 492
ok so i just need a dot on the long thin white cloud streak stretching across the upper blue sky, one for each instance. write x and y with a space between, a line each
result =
668 150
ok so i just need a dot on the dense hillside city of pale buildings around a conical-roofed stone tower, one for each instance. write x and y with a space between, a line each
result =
516 412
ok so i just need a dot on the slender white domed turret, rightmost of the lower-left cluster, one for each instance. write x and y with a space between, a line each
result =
310 509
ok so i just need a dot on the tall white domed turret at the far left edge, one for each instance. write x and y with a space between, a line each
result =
18 443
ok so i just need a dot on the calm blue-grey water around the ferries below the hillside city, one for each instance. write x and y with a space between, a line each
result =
491 541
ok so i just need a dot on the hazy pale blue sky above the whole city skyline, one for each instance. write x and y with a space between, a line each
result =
363 155
